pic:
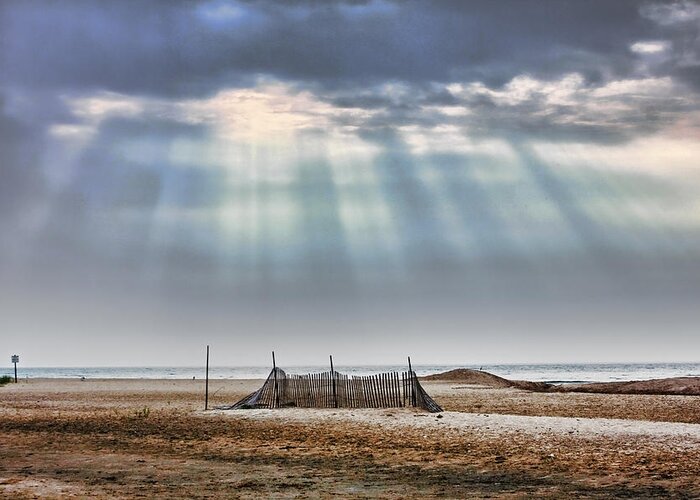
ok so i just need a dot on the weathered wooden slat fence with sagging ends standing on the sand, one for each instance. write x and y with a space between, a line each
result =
336 390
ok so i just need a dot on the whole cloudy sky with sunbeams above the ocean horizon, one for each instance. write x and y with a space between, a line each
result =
462 182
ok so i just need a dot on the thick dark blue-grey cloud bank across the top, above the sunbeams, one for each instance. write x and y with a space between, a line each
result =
178 48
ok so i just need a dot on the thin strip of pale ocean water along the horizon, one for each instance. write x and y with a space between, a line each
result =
552 373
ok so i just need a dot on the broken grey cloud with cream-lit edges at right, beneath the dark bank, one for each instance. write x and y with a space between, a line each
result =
588 113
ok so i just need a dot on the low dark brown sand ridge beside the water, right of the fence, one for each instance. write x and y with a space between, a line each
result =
687 386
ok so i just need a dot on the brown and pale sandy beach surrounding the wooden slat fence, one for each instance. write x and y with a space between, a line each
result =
132 438
